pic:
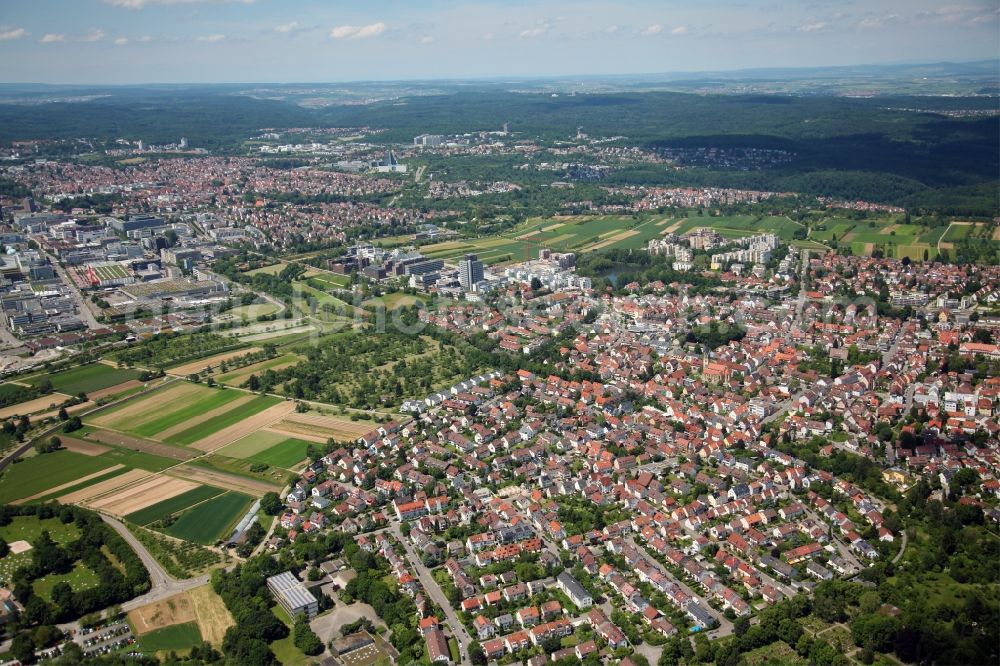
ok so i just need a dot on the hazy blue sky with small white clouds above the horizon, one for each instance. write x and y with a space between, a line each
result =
212 41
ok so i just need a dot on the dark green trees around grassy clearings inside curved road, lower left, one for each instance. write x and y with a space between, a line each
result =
49 558
